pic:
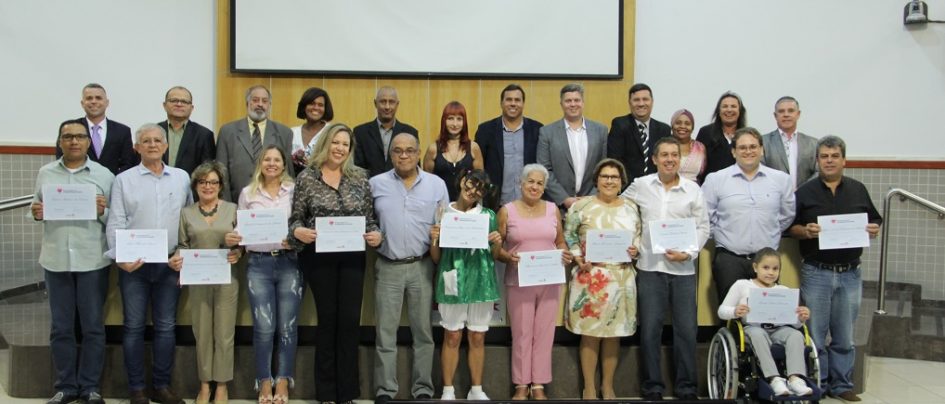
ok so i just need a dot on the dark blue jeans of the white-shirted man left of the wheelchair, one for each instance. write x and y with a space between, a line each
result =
657 292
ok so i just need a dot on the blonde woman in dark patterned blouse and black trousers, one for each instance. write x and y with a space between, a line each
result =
332 186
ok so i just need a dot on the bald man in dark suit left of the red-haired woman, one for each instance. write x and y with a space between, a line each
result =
372 139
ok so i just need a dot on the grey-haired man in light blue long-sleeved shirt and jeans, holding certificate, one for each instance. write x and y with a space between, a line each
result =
149 196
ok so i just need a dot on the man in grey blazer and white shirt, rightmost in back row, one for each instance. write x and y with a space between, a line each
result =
788 150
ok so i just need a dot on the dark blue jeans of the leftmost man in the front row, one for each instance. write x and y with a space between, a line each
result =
84 292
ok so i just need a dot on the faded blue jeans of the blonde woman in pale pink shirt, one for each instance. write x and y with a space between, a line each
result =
275 292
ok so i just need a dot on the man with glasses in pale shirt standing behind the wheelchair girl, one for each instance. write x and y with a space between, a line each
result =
750 205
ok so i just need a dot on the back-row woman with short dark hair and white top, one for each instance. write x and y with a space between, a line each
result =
315 108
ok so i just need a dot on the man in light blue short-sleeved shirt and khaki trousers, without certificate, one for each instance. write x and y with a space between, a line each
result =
405 200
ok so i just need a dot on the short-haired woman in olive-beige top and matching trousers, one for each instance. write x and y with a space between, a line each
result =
204 225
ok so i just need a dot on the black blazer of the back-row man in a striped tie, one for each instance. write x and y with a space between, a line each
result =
624 144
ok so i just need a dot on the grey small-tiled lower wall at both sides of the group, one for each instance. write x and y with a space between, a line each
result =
916 255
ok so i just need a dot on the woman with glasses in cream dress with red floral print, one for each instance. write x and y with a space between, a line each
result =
602 296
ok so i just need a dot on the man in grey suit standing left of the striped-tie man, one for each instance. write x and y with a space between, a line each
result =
570 148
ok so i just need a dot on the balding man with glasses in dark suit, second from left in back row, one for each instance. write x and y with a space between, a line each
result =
189 143
